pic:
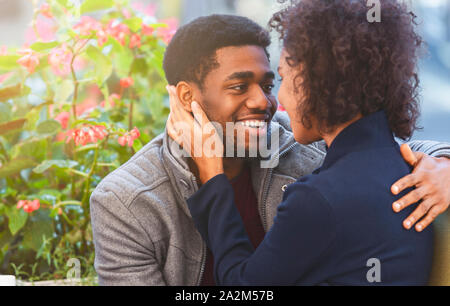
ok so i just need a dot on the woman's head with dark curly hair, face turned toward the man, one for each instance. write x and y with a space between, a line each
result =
336 65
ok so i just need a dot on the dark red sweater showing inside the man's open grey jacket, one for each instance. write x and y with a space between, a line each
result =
247 204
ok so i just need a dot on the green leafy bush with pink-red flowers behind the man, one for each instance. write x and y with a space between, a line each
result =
77 100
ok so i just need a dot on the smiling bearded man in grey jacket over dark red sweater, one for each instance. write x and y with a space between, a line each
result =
143 231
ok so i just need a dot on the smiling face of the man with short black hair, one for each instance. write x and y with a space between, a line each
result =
240 92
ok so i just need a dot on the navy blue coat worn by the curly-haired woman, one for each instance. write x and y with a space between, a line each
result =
334 227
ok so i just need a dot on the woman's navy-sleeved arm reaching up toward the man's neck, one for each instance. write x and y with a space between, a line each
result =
301 236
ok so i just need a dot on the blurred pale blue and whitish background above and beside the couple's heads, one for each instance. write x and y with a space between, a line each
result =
434 17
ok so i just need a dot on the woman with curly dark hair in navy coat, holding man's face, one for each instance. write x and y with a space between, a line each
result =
353 84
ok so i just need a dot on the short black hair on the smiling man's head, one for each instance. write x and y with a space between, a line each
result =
191 54
